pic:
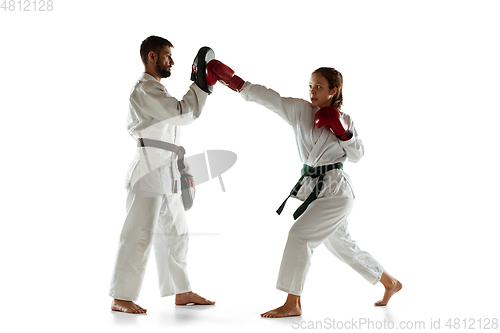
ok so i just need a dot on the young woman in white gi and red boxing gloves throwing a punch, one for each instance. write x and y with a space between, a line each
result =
325 138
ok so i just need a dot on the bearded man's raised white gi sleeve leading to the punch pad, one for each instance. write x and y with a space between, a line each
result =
154 100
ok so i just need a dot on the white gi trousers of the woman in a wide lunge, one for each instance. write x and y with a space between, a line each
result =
324 221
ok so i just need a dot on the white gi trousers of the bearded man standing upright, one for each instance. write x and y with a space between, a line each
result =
158 220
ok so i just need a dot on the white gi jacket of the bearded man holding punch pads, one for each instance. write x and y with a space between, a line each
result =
155 114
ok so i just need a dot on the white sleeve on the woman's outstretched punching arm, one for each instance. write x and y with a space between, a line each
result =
286 108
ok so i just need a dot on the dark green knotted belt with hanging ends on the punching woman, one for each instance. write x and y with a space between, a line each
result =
314 173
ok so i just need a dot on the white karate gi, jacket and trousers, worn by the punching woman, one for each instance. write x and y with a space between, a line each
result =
325 219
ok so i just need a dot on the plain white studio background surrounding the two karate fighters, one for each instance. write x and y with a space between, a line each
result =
421 81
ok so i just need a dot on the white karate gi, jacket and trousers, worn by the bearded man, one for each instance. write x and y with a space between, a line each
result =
155 213
